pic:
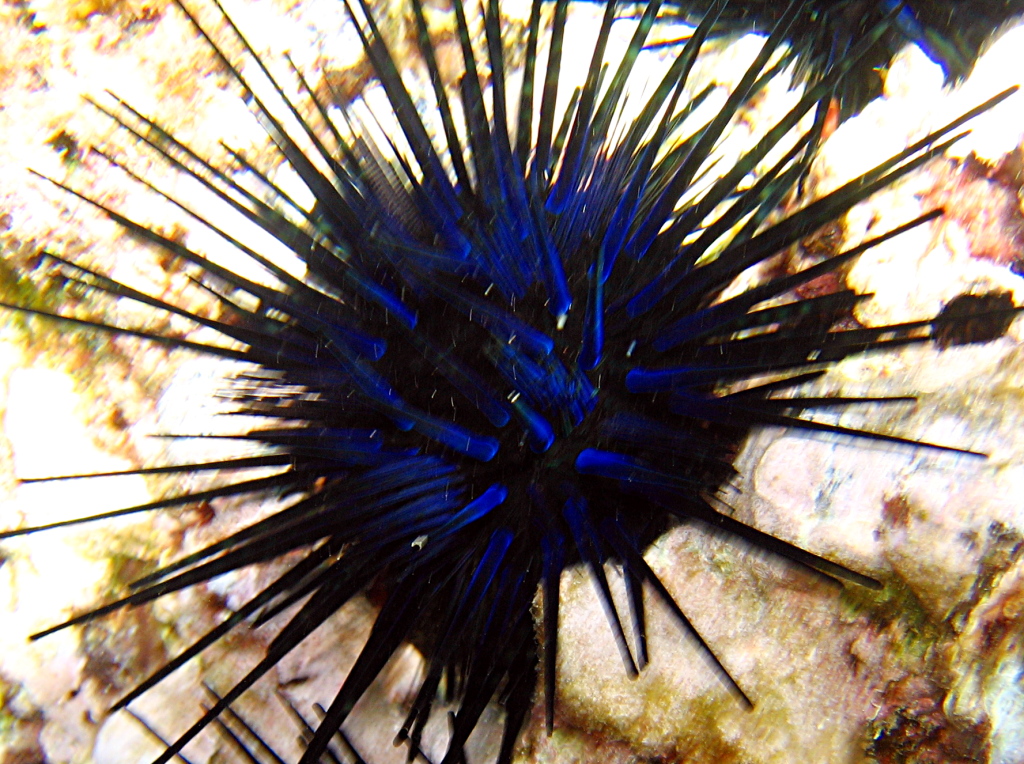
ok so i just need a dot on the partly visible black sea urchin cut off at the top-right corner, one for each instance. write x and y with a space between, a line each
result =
953 33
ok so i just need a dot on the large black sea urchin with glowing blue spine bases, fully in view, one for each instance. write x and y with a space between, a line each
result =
506 355
